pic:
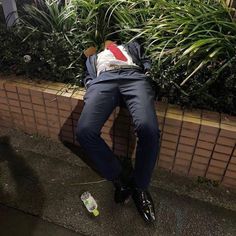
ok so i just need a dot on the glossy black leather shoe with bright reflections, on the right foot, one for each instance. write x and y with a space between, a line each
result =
144 204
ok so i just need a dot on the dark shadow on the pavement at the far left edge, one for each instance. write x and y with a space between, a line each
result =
19 185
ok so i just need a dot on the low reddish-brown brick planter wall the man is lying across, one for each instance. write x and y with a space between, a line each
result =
193 143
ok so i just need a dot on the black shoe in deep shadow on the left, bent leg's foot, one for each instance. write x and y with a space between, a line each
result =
122 191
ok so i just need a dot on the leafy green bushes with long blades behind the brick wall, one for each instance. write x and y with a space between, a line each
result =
192 44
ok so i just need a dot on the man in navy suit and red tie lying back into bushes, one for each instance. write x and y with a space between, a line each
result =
119 72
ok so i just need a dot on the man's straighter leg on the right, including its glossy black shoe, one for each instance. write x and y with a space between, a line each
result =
139 98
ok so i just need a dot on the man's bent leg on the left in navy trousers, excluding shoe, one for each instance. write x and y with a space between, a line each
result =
100 100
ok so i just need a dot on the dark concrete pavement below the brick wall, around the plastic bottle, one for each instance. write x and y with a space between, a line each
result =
49 188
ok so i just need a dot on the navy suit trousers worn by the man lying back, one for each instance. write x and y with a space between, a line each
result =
99 102
